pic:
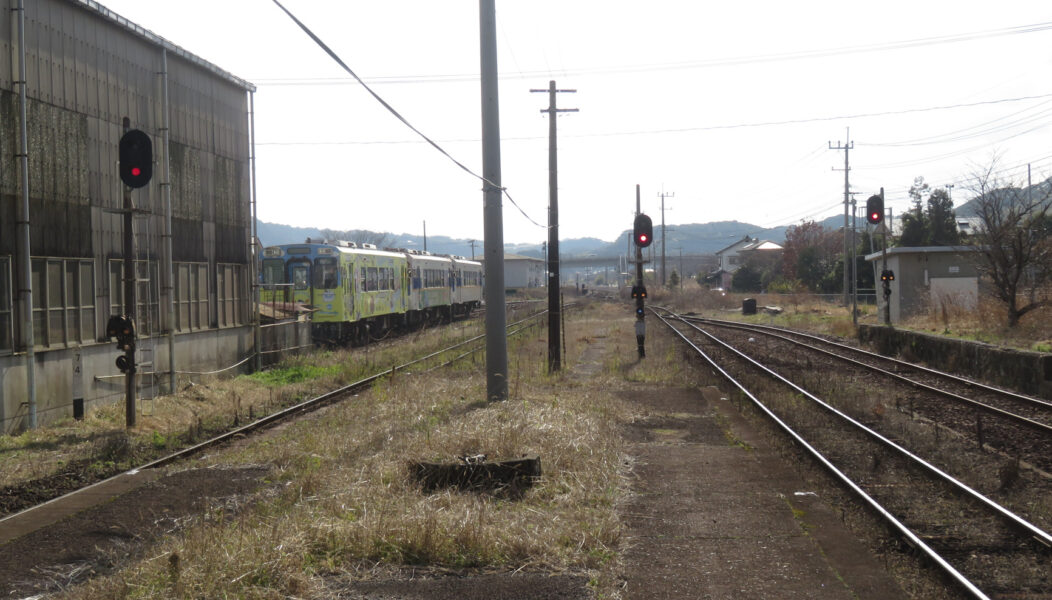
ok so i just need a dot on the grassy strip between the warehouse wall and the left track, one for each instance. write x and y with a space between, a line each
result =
198 410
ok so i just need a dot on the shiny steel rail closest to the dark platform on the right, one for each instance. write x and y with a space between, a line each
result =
892 519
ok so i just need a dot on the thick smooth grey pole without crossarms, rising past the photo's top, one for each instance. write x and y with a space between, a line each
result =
497 339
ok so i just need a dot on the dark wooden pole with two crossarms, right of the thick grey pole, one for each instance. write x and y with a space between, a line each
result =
555 361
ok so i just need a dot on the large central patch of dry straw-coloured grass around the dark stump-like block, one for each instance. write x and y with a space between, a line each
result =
348 508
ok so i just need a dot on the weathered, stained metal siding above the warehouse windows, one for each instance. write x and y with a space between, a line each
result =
86 74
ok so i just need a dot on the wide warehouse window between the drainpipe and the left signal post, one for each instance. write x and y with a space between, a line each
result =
64 303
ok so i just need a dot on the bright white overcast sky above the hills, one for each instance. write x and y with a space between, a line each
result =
663 102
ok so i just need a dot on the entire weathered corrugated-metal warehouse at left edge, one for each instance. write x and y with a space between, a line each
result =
87 71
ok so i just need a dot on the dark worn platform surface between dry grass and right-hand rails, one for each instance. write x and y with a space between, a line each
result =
713 518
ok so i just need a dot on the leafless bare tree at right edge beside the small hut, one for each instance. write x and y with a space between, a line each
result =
1013 241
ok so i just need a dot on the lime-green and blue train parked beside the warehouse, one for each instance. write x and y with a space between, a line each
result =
359 292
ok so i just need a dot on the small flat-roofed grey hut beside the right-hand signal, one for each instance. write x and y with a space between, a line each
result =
928 277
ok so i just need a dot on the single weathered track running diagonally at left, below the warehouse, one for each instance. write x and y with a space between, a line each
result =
43 512
